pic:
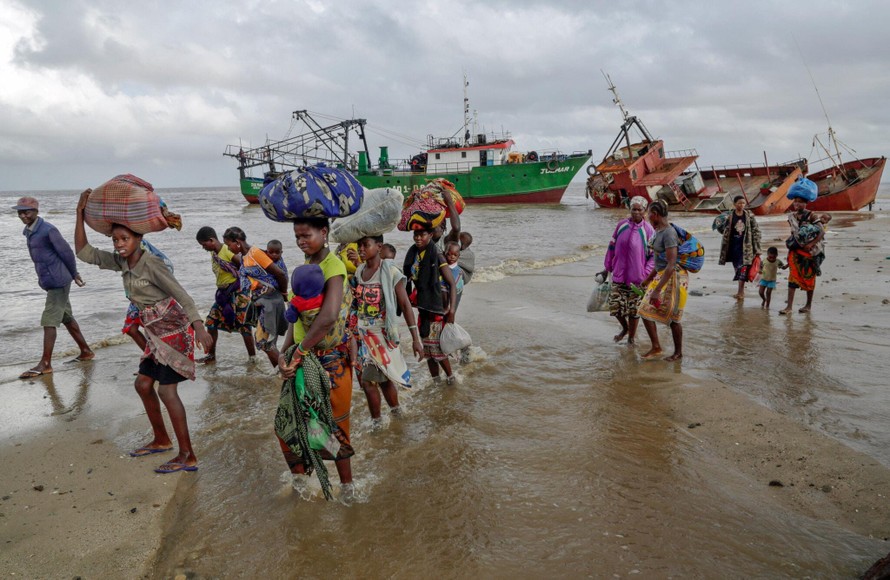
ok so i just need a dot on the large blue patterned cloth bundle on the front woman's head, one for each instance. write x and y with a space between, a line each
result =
317 191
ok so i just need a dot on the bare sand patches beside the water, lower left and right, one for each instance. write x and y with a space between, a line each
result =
73 503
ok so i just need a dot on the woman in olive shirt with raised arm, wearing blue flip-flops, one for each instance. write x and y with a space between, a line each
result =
171 322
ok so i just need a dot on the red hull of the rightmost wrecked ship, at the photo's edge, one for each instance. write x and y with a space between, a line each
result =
836 195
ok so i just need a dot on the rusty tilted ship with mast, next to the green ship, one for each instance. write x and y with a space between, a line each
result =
640 165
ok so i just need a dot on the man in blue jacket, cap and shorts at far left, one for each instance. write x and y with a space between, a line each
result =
56 268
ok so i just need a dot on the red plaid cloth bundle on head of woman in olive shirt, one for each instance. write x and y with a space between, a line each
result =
131 202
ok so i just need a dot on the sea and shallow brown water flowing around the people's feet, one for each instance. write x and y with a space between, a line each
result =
555 457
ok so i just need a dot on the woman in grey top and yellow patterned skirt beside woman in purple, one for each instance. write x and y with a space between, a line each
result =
667 284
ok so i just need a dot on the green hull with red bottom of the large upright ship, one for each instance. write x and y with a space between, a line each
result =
539 182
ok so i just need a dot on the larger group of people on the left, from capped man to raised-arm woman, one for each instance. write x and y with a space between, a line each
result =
338 320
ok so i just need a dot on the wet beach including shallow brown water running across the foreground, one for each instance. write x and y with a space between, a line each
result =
764 453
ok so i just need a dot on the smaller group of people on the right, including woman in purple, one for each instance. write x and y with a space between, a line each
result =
648 282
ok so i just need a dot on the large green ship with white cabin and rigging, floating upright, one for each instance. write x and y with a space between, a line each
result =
484 168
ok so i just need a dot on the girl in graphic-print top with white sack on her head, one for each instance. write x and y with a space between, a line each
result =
378 293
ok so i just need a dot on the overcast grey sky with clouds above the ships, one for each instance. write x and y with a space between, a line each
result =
95 88
